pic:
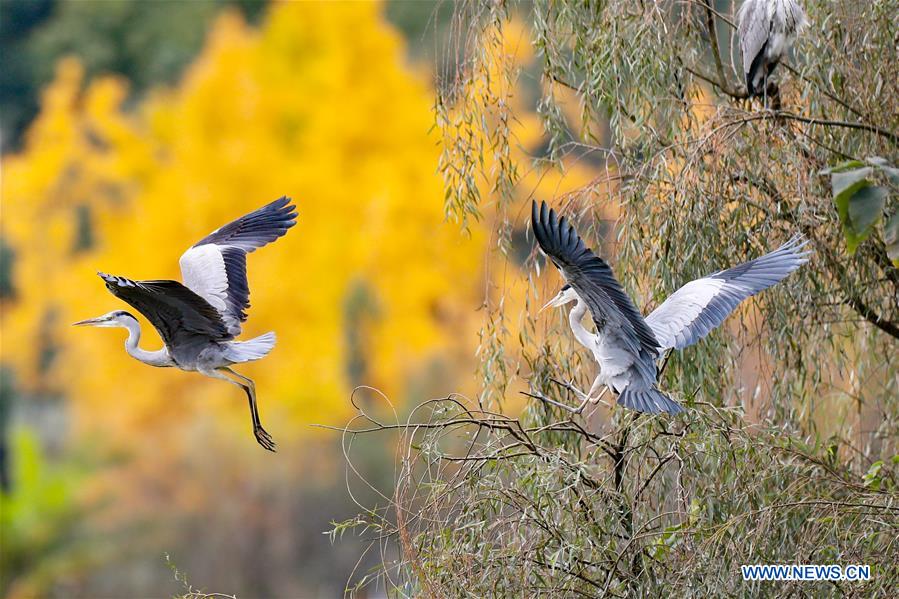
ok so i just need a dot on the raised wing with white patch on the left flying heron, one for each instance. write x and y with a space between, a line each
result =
215 268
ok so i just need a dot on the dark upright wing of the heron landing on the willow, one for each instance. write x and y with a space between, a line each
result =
590 277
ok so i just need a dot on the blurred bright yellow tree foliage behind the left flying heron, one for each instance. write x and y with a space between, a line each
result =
293 109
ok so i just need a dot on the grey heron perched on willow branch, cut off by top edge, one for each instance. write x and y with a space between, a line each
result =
767 30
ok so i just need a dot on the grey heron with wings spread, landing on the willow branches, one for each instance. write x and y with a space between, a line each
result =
626 345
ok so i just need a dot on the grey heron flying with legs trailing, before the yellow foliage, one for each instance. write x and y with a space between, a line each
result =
199 320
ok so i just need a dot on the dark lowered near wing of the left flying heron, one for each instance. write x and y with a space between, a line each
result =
180 315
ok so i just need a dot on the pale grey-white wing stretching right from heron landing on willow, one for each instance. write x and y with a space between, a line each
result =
702 305
